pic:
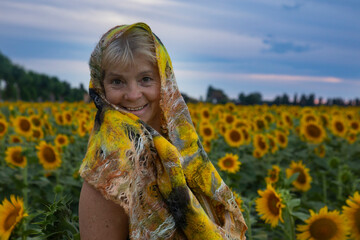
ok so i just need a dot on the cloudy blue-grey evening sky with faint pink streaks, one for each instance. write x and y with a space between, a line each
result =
267 46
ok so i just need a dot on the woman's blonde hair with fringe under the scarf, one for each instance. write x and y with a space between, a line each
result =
122 50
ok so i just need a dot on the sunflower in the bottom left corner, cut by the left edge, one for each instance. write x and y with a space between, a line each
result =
11 213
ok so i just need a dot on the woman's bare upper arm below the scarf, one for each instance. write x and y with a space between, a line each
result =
100 218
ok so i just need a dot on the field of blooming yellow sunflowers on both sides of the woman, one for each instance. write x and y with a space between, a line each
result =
293 170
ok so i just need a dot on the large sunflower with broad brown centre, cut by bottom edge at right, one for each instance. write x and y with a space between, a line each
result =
324 225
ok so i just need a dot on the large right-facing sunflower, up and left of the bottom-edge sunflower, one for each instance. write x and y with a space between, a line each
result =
269 205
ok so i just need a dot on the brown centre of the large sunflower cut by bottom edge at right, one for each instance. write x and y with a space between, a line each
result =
323 229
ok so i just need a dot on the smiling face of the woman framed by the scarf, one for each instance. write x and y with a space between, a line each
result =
136 89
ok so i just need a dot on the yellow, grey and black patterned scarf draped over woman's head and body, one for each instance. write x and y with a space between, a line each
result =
167 185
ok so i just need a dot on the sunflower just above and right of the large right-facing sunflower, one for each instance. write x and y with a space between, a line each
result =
304 179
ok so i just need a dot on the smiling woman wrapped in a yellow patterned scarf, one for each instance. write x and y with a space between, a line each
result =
146 173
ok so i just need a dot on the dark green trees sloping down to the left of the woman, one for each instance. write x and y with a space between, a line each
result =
16 83
